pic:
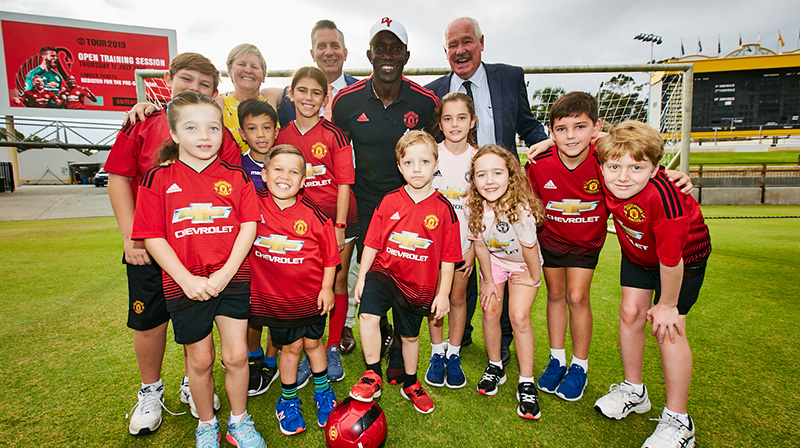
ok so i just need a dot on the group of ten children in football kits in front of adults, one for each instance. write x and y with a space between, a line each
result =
255 240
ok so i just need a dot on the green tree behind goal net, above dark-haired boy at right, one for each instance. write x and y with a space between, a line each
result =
620 99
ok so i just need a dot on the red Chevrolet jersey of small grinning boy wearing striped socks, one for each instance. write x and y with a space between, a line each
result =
293 247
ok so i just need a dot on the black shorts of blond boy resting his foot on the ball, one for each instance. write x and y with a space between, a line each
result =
378 298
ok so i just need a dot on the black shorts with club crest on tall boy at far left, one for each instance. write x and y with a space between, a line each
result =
147 308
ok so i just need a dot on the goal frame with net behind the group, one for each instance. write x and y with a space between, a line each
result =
666 104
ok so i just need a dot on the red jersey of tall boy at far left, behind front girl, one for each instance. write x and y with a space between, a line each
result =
136 148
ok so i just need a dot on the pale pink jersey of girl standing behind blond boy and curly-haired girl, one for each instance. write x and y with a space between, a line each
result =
452 181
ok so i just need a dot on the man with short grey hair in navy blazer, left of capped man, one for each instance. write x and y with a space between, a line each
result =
329 53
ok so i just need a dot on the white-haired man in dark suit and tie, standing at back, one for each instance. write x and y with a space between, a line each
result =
503 110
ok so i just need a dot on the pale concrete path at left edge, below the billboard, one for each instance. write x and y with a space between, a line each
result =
31 202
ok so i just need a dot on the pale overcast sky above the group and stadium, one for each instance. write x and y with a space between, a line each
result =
525 33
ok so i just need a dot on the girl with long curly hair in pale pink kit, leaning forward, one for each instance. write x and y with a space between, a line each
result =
503 214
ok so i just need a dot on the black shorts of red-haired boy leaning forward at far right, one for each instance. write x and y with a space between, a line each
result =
637 276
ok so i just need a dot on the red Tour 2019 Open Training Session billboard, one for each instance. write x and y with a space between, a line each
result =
68 68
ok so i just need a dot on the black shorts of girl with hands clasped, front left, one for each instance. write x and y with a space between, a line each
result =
194 322
